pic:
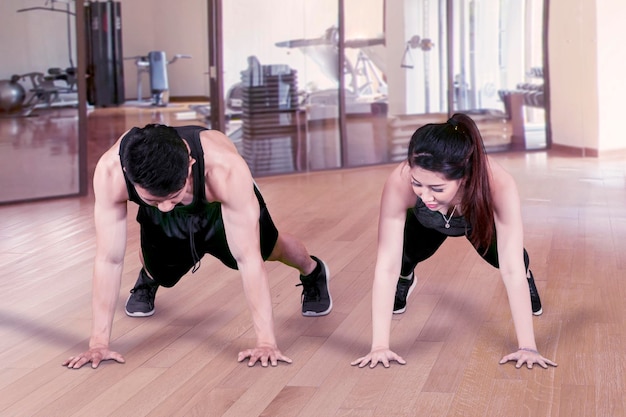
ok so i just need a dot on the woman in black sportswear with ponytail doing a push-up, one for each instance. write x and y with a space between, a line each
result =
450 187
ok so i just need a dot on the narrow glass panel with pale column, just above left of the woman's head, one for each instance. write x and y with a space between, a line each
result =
416 69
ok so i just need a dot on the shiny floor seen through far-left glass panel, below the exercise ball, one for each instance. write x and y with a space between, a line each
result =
39 155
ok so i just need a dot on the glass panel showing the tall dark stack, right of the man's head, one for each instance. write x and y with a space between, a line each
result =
280 74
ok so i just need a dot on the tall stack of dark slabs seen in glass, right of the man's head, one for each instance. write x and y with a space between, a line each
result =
274 133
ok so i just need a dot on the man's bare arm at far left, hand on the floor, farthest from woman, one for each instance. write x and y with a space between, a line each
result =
110 214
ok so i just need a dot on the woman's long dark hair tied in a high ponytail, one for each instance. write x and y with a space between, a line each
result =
456 150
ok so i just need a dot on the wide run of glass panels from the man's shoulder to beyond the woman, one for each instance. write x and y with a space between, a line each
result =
404 64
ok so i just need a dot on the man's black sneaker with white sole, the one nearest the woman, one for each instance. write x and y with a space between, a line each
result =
316 300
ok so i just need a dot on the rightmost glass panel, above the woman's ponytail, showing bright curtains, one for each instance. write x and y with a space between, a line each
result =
498 77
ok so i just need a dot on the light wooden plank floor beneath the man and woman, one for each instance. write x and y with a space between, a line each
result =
182 361
